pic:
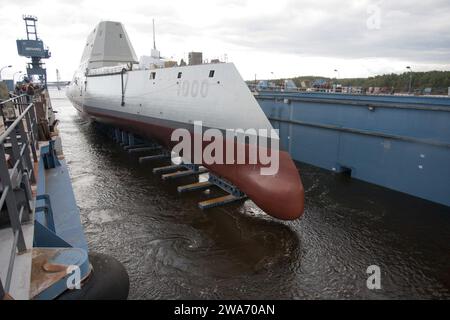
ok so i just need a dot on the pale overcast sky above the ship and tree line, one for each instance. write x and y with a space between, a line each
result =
281 38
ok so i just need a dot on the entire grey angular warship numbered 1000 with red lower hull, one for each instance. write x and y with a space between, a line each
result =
110 88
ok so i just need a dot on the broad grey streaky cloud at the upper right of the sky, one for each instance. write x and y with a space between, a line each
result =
329 29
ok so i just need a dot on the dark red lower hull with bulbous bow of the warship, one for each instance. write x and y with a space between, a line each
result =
280 195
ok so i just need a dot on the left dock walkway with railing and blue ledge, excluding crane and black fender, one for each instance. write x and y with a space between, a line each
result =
38 226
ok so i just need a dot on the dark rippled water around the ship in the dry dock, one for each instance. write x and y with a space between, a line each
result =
171 249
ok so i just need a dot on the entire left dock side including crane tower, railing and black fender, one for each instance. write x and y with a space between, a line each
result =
43 250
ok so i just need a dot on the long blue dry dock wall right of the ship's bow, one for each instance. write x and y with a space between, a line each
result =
399 142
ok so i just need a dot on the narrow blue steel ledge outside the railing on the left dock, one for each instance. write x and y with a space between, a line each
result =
57 224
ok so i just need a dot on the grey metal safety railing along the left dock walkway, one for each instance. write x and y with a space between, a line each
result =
18 145
